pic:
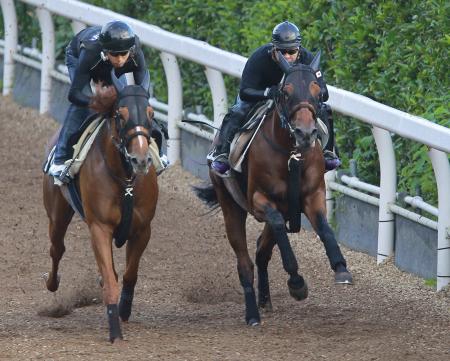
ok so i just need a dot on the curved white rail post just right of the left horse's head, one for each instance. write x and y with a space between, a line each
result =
175 103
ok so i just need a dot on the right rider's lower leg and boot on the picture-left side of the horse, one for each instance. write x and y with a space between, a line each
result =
219 155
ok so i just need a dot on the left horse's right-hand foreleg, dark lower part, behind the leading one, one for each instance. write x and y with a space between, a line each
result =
135 247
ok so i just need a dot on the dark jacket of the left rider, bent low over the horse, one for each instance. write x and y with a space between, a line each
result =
84 52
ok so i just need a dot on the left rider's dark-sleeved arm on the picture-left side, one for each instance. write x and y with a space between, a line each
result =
81 78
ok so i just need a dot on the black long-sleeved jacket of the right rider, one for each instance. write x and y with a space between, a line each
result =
262 72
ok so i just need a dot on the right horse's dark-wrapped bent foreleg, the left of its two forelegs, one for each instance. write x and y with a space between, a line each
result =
265 209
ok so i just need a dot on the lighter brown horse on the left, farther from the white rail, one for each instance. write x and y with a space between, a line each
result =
118 165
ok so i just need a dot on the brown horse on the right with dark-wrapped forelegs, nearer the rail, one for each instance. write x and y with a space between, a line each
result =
287 140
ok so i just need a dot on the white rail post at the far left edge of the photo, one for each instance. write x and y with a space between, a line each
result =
10 26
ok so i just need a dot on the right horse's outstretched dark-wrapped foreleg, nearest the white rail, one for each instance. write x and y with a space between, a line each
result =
316 215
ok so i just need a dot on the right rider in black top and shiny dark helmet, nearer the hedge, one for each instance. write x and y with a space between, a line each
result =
259 81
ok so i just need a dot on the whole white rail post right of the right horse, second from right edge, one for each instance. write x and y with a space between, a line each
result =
388 185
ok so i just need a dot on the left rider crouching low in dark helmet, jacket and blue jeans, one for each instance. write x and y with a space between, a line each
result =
91 55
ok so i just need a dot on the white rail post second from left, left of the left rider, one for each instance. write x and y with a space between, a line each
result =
48 57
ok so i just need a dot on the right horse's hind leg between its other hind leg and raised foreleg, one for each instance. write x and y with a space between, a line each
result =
264 244
